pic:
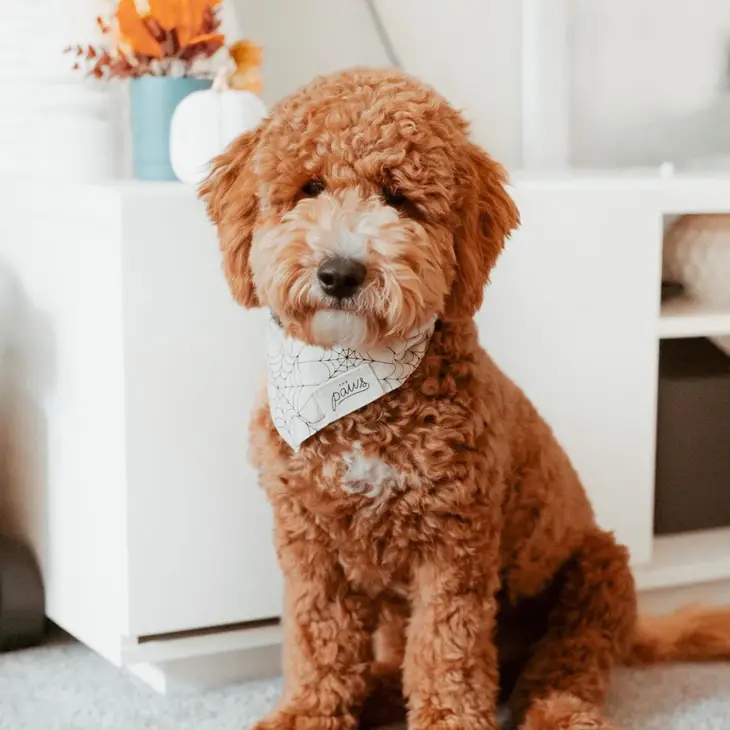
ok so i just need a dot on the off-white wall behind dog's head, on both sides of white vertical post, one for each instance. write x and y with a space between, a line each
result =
648 76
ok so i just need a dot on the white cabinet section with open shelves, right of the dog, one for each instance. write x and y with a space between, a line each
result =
574 316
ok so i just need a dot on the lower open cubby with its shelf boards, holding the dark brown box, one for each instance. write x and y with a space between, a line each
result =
692 523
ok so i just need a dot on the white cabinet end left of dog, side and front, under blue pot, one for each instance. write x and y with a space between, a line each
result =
147 517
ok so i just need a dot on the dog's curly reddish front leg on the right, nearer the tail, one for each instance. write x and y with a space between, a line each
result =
450 674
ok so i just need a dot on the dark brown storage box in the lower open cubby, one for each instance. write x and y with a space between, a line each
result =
693 437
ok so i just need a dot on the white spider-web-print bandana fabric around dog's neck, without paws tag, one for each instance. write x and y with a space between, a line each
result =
297 370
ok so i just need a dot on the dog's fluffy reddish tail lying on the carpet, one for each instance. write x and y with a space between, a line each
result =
691 634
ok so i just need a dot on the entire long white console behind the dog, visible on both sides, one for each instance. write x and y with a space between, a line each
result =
133 378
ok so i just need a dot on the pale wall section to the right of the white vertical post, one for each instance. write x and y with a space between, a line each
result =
650 80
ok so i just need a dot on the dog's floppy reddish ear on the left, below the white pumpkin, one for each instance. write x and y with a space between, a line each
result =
229 193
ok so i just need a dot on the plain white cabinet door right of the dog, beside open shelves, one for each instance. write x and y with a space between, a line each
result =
571 316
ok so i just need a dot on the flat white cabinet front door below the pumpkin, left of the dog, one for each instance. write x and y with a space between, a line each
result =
200 545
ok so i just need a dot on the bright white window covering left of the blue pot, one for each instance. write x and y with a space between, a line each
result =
53 123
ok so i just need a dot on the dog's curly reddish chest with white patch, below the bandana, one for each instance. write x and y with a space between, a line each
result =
368 497
